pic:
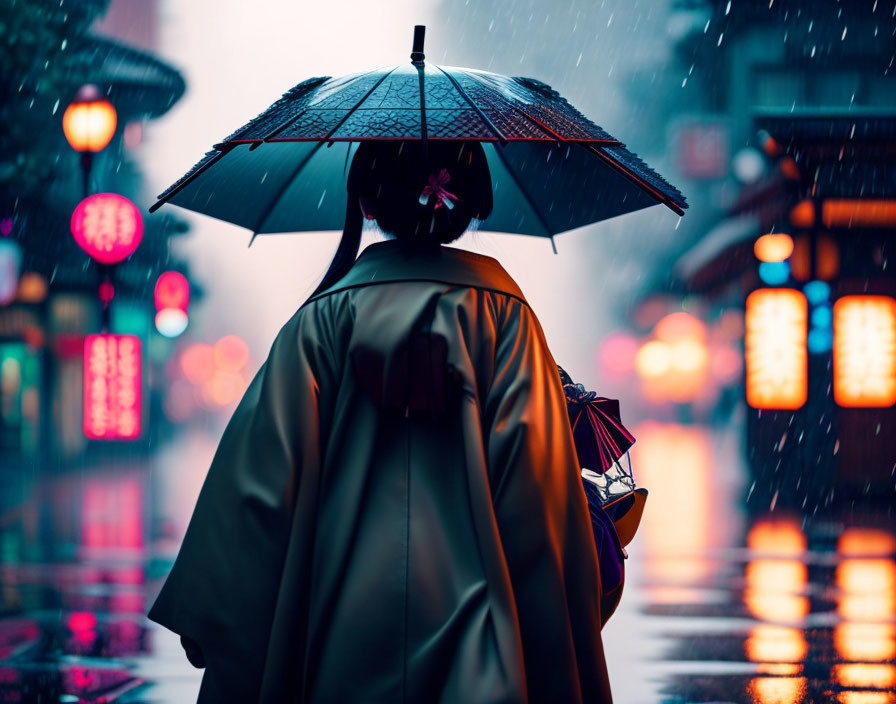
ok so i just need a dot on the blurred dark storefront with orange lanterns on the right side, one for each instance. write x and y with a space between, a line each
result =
789 140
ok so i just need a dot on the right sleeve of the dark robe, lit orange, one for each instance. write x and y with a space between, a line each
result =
542 516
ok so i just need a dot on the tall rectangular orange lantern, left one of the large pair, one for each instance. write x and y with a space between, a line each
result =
775 341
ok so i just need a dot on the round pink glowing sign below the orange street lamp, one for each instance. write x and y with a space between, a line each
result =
108 227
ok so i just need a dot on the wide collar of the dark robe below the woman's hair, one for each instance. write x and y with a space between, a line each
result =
391 260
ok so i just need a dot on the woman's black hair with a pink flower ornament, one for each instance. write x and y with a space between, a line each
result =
386 181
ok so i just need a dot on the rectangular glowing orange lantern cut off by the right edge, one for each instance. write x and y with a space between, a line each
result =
865 351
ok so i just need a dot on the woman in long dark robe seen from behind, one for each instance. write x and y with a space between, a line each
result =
395 511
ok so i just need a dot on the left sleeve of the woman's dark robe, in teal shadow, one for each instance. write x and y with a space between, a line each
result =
223 587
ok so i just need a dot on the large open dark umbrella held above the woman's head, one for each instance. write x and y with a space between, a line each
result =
552 169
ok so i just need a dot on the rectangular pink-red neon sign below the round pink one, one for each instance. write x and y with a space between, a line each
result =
112 393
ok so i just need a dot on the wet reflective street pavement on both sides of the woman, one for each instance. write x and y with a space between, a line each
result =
720 604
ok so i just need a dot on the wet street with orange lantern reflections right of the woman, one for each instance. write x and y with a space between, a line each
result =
725 606
